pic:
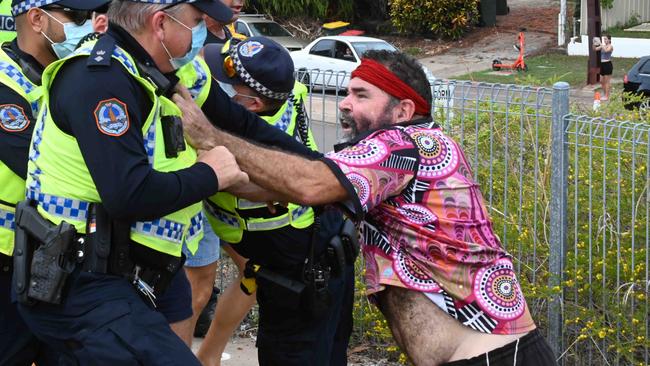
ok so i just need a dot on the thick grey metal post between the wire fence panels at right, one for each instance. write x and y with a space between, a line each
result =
558 214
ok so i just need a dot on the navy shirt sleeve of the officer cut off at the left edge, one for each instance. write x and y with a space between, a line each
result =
14 145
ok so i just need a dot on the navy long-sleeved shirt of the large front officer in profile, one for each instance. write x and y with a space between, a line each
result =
128 186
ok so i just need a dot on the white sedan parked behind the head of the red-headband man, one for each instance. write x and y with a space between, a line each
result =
328 61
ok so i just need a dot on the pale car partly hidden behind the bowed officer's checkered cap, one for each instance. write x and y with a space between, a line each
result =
252 25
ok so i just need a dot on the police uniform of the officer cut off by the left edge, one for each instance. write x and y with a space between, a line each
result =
19 100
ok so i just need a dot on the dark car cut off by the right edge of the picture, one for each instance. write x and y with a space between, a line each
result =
637 82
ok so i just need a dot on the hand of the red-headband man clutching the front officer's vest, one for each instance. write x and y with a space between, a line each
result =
196 126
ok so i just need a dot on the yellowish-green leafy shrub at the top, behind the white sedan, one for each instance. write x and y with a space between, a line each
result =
447 18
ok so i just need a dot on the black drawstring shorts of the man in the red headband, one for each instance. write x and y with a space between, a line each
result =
531 350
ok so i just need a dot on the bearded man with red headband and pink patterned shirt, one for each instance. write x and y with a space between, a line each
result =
433 264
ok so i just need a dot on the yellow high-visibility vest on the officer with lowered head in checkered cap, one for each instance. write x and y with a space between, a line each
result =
222 209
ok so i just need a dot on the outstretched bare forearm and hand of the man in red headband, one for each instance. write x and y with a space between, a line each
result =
296 179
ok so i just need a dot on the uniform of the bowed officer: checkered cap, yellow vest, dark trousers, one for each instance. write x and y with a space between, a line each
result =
279 242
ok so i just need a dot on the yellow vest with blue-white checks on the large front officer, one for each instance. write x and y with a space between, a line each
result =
59 179
